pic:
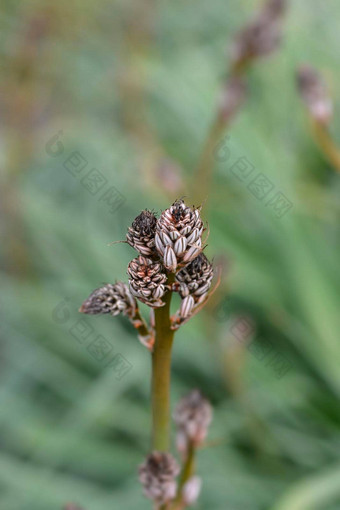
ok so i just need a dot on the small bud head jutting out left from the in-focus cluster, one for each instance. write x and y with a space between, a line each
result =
112 299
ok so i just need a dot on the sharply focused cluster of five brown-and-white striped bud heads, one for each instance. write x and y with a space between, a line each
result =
170 244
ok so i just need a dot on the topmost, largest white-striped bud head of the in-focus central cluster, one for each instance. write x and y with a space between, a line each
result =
178 235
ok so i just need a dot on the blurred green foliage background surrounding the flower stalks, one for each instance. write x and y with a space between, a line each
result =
132 88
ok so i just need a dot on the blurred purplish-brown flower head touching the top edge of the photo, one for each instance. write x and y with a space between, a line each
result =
262 36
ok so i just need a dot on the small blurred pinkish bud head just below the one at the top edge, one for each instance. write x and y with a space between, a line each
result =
232 97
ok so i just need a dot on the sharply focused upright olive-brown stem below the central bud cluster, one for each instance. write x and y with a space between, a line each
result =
161 368
